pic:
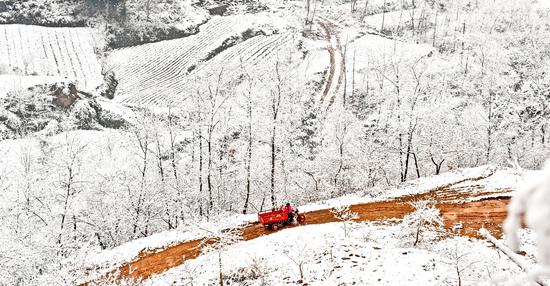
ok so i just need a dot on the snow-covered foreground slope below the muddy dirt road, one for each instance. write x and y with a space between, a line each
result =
322 255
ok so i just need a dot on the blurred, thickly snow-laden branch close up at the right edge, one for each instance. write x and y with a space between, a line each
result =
533 202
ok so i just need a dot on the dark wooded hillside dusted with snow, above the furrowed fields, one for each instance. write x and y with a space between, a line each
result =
123 23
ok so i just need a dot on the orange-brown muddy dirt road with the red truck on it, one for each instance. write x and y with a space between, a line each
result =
488 213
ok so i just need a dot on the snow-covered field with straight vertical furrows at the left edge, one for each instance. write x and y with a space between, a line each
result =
68 53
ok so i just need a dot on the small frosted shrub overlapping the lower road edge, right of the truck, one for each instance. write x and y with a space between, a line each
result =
423 225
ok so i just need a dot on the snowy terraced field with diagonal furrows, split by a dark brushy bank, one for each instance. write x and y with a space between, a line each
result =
163 73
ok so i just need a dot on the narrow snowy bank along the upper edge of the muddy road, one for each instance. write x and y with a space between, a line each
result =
501 179
